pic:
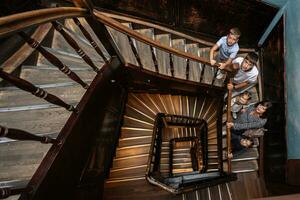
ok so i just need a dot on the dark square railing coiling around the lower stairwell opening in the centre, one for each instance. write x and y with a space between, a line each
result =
185 181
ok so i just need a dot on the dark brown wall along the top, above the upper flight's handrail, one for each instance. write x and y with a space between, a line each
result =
209 19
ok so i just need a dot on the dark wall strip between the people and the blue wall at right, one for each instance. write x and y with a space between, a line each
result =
273 72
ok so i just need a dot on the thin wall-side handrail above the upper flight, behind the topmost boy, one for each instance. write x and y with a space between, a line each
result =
164 29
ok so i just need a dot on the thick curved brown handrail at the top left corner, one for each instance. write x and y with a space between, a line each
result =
13 23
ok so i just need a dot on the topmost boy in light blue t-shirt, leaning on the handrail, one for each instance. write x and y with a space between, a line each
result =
225 50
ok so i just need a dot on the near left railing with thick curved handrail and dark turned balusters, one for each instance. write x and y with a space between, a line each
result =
10 25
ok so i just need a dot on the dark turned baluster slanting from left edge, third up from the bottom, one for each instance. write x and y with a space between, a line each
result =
29 87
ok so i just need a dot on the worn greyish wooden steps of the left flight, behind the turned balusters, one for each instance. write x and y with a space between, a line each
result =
22 110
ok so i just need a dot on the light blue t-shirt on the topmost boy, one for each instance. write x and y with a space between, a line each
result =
226 51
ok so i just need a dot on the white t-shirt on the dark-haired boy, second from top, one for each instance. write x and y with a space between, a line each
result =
242 76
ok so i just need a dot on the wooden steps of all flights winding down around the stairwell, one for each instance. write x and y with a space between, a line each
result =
127 174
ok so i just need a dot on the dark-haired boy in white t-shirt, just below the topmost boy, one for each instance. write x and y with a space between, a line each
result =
247 71
